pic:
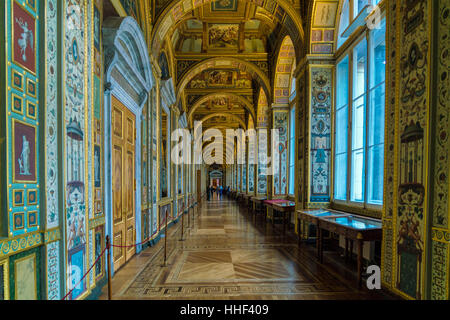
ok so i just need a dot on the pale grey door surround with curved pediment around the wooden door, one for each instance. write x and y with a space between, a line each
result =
129 78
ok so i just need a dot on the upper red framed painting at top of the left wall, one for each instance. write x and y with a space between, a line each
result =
23 38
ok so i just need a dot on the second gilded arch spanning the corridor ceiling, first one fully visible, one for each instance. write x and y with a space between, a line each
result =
224 63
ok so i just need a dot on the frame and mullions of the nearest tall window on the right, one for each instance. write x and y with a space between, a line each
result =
347 50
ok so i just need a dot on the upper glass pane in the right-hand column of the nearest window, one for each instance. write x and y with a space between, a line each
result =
378 55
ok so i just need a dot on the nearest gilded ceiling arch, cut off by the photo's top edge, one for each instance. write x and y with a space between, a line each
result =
177 9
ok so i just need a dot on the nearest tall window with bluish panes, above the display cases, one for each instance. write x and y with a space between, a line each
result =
359 112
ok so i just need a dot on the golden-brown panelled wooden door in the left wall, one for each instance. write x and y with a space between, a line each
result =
124 183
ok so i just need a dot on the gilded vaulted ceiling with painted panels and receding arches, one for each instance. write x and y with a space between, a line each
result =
222 54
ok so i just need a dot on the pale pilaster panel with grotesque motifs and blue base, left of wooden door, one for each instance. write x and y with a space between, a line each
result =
75 141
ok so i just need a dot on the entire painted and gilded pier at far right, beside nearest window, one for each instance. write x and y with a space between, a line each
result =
416 235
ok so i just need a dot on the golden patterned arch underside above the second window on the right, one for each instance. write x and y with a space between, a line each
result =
283 72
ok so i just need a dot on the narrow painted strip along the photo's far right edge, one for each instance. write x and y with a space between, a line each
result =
440 233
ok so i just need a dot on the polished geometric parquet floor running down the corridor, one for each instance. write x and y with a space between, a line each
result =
227 256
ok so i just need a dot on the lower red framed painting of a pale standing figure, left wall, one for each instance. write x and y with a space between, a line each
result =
24 152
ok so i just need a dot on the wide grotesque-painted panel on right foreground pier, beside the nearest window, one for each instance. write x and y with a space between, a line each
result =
410 243
